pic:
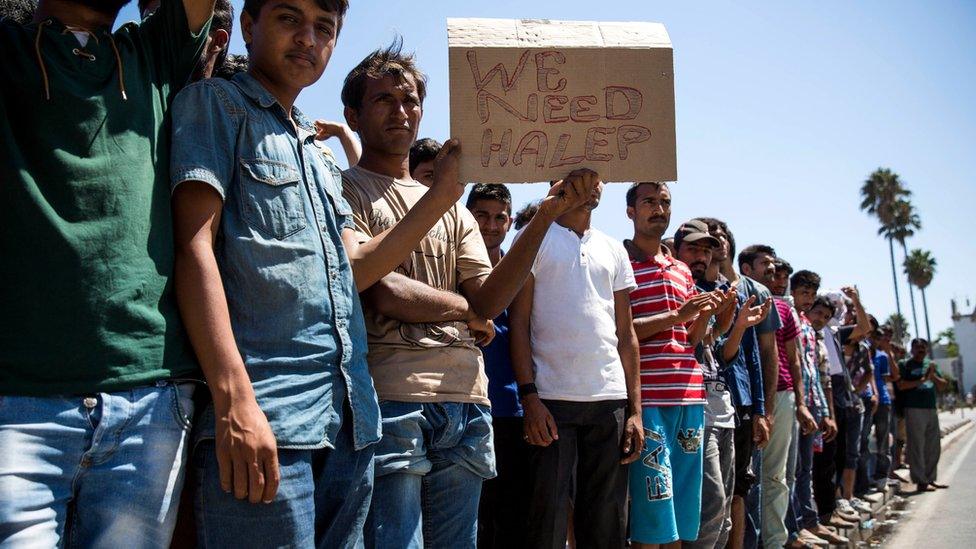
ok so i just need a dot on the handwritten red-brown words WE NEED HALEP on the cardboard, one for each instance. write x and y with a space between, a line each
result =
621 103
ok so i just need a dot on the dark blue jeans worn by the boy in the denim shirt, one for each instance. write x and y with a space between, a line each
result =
322 500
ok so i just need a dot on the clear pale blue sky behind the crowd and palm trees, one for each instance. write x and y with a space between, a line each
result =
783 109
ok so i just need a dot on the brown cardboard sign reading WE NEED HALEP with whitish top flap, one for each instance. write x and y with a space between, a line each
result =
532 100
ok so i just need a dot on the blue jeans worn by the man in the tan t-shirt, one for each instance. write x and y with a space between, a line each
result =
430 465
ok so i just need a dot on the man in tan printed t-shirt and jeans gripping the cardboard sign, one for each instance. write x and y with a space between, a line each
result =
423 320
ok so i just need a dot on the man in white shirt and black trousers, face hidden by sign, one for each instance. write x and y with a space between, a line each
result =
575 358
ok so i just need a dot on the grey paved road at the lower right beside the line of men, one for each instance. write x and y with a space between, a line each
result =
944 519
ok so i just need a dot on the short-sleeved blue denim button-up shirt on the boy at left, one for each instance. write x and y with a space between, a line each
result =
293 303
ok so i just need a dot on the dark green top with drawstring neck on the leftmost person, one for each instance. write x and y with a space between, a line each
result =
86 246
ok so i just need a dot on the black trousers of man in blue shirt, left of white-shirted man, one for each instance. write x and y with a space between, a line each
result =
505 498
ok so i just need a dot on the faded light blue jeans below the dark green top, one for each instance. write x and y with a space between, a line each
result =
103 470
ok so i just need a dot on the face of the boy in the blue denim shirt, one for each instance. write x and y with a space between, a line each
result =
291 41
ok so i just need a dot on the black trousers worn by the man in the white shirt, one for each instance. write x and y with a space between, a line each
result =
587 455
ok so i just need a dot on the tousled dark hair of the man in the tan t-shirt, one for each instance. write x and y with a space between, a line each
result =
387 62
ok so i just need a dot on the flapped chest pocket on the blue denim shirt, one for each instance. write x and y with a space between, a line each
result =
271 197
